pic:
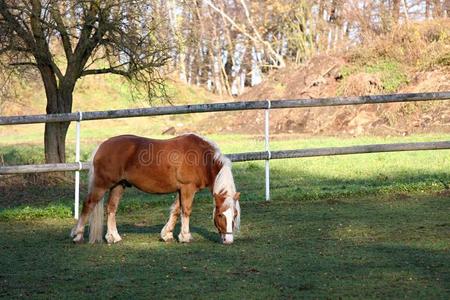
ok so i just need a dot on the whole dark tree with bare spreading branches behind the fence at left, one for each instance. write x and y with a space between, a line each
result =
66 40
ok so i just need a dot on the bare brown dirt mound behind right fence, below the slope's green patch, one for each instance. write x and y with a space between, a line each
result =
322 77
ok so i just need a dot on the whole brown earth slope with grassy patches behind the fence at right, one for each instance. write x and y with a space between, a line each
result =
410 58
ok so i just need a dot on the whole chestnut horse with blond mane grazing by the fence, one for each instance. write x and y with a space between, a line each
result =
184 165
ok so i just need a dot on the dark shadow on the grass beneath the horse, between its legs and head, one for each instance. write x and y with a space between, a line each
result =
156 229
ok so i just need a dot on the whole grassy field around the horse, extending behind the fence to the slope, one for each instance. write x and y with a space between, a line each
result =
364 226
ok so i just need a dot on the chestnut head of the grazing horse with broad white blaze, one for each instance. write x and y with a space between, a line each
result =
227 215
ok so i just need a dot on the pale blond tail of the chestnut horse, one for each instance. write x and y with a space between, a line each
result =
96 218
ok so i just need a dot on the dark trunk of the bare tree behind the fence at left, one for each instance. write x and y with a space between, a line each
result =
59 100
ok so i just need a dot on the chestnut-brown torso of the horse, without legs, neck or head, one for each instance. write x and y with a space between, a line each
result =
153 165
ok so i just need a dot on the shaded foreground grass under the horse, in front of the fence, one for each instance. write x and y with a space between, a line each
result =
389 247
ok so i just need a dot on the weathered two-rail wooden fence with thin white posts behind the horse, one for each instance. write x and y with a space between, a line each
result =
266 105
